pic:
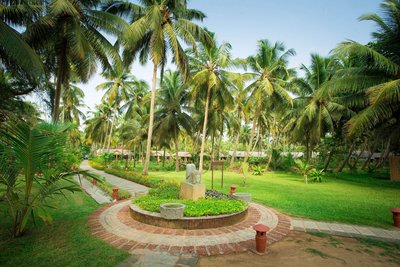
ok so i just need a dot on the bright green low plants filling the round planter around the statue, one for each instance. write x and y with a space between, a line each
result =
169 193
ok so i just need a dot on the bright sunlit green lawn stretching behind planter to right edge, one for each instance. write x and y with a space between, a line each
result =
349 198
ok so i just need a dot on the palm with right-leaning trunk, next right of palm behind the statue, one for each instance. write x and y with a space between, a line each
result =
269 67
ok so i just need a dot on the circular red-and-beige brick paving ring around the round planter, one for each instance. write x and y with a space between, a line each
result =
113 224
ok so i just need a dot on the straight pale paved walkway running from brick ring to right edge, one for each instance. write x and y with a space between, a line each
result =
339 229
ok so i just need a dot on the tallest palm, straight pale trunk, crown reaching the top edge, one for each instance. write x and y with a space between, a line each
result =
156 26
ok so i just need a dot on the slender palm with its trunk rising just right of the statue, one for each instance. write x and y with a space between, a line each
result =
209 79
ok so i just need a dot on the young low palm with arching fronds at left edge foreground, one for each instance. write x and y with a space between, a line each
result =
31 172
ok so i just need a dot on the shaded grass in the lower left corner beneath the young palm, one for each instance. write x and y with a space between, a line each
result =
67 242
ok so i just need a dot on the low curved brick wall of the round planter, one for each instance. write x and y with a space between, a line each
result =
203 222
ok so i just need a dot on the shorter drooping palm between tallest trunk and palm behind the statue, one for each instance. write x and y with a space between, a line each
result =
170 115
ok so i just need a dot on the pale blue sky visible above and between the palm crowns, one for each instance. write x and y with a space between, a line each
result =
308 26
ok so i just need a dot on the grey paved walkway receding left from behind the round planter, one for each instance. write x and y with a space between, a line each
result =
112 179
